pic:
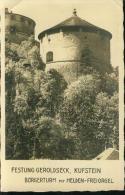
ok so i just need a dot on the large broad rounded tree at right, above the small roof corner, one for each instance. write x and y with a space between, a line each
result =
90 115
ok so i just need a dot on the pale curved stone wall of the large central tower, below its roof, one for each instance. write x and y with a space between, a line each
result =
68 49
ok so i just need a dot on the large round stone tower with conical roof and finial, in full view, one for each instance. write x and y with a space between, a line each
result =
74 44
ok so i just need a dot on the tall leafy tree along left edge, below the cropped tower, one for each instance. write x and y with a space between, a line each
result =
20 93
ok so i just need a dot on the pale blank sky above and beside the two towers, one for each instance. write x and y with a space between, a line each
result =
106 14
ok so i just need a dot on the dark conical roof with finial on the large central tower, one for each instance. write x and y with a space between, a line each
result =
74 22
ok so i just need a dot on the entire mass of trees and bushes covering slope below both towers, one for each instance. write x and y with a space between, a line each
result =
46 118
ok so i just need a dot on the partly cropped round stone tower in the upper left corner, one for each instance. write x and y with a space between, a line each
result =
17 27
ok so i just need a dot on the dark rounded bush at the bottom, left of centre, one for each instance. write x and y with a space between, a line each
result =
49 142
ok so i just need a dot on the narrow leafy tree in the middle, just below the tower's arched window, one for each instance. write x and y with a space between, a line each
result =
52 86
